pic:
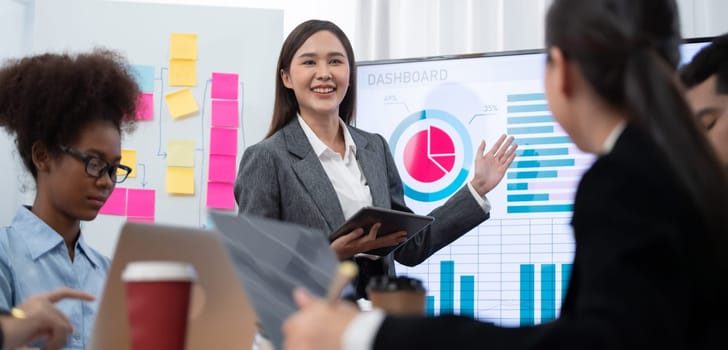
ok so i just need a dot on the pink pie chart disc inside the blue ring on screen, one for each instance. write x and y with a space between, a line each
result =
429 155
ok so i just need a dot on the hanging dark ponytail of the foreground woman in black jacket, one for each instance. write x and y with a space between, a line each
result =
655 102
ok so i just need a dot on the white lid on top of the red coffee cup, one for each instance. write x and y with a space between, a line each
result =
158 271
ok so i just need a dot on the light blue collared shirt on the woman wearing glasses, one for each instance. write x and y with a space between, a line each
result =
34 259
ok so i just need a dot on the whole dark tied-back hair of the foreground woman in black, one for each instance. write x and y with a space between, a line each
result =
628 51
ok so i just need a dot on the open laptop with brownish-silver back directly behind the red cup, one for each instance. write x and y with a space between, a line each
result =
221 316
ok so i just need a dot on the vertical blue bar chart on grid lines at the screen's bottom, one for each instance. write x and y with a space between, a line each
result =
513 272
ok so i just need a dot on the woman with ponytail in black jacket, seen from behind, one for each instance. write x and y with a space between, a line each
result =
650 216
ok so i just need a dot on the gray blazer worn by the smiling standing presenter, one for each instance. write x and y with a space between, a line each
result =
282 178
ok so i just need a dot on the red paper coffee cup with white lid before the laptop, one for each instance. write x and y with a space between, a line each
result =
157 300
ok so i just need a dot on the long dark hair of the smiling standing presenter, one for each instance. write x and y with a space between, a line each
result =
285 106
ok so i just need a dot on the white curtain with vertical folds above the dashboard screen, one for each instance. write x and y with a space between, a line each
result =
389 29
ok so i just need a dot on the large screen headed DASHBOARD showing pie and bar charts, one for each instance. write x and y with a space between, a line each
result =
514 268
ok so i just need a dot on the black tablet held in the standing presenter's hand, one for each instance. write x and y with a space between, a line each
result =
392 221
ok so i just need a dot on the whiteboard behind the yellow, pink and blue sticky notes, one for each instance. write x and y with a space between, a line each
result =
229 40
